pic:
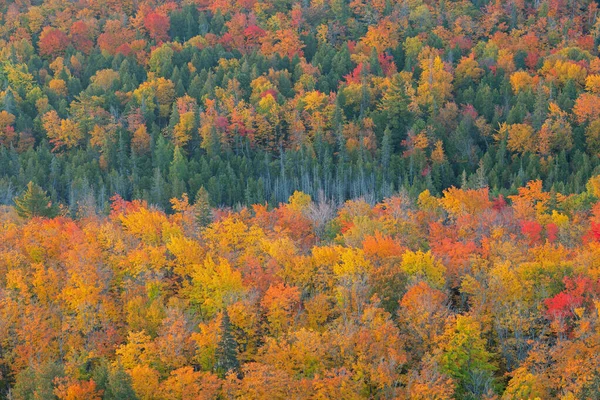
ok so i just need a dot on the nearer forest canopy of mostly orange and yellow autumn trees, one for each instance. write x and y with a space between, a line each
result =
462 296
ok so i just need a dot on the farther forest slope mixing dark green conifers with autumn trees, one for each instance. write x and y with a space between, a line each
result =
254 100
